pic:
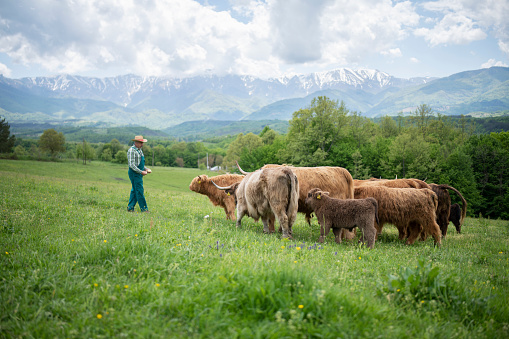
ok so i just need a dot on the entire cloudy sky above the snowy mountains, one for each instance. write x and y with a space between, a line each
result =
265 38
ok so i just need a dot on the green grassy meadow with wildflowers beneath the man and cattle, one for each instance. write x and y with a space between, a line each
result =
75 264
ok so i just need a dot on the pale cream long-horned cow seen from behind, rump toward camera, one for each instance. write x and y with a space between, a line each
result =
265 193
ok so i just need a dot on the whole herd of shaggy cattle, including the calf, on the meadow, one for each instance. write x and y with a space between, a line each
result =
339 202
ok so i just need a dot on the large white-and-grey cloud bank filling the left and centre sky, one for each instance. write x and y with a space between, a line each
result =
182 37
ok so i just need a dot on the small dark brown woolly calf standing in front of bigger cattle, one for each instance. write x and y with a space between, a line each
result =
344 213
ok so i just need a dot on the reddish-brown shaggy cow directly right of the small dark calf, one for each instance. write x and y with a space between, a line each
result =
411 210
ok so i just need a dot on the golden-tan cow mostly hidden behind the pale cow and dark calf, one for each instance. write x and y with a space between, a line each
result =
336 180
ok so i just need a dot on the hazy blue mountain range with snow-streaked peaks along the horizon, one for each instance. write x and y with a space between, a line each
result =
163 102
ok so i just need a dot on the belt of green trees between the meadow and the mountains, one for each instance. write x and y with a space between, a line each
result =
423 144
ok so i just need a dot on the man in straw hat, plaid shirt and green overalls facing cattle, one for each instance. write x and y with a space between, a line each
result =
137 169
